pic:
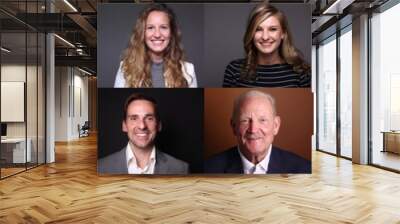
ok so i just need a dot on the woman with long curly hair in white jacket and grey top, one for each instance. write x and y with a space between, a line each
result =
155 57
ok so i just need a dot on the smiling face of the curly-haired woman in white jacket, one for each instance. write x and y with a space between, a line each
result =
157 34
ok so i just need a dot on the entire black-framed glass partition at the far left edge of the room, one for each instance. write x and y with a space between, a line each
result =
22 79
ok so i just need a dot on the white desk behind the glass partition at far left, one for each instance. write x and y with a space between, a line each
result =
16 147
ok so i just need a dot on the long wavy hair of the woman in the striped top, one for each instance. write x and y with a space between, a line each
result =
287 50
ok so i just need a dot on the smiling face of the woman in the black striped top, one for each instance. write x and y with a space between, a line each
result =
268 37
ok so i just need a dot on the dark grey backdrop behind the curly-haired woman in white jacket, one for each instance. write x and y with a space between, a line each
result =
115 25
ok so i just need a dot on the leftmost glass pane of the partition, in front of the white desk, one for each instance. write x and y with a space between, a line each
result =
13 110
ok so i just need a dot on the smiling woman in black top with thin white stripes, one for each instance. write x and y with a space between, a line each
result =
271 59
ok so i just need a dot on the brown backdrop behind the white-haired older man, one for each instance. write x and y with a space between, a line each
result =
294 106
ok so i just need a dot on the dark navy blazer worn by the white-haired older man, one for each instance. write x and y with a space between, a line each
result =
281 161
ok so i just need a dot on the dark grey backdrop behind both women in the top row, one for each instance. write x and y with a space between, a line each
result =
212 35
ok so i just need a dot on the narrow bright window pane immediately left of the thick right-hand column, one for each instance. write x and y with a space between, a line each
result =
345 92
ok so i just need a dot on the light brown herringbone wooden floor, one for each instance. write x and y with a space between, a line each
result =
70 191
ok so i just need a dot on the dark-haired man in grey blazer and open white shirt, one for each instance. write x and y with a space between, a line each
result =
141 122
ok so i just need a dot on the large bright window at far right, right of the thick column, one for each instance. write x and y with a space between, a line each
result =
385 88
